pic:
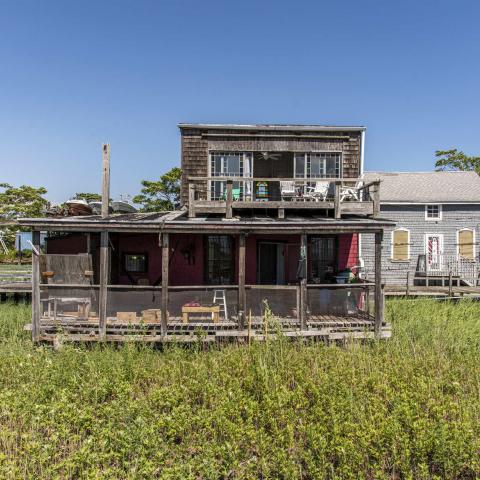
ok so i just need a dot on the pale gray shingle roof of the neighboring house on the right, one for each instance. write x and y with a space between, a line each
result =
427 187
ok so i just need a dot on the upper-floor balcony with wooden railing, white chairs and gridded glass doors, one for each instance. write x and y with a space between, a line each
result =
280 181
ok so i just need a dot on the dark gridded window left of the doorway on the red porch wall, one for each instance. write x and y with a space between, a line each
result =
219 260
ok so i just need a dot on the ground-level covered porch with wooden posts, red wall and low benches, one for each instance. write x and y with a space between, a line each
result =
208 279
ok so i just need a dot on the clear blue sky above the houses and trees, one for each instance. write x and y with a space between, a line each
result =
76 73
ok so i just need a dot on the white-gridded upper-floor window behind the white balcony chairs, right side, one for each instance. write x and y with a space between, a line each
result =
318 165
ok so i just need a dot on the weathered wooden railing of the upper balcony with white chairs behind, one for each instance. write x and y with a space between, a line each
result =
223 194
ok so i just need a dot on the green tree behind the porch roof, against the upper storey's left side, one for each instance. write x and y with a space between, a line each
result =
160 195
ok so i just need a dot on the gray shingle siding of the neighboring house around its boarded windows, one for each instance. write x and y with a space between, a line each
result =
412 217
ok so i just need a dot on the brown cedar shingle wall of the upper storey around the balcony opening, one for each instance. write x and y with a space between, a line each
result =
195 148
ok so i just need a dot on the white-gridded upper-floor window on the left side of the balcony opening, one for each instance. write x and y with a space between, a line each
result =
230 164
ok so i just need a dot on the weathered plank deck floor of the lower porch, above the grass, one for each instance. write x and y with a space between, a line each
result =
321 327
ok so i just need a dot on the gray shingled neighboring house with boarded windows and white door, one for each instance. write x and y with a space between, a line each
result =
437 217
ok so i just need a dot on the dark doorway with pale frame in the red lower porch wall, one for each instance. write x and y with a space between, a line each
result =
271 263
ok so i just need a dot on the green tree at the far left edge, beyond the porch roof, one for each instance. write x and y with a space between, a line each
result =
18 202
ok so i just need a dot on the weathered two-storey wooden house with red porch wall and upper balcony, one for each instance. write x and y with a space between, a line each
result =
269 223
